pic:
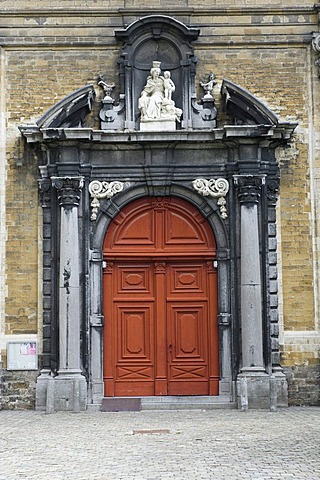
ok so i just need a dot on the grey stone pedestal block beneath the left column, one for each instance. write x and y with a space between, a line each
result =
65 392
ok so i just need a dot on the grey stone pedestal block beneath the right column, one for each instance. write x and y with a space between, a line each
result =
256 389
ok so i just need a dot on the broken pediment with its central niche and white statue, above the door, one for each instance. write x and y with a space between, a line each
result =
157 69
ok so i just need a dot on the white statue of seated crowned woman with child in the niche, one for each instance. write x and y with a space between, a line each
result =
157 109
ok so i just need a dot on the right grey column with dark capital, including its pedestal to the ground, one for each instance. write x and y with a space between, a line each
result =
253 370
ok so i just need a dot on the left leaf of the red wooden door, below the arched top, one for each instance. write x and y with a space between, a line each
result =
129 330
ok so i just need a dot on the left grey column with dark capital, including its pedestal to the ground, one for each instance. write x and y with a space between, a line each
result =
70 387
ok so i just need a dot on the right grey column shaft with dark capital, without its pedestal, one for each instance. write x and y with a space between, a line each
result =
249 190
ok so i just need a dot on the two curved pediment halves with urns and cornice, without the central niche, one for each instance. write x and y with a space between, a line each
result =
252 118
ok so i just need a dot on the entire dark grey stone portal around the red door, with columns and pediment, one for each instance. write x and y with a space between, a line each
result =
127 164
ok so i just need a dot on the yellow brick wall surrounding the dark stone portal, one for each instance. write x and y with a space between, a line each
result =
47 55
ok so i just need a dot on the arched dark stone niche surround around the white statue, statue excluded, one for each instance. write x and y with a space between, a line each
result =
142 45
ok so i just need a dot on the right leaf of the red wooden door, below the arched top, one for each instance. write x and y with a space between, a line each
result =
192 329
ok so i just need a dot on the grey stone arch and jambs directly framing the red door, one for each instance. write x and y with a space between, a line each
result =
110 208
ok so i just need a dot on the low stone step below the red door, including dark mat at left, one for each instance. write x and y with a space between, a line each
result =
117 404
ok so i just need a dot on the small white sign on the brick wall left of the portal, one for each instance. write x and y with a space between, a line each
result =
22 356
